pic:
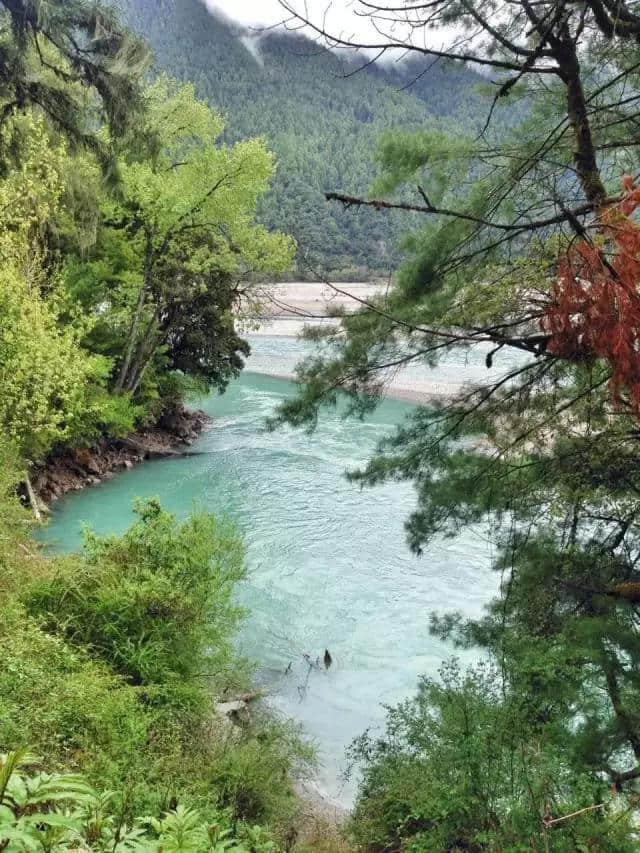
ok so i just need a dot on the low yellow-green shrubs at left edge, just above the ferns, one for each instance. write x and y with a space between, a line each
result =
71 708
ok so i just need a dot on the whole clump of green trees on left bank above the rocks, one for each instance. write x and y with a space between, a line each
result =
116 293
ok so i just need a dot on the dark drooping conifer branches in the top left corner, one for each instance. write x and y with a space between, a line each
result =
55 52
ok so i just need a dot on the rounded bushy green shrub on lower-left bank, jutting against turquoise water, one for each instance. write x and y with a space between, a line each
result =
156 604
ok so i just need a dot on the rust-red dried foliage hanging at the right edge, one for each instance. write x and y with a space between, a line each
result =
595 302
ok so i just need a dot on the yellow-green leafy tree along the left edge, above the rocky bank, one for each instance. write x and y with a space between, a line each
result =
51 388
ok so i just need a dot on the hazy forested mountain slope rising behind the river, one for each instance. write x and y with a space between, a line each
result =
322 126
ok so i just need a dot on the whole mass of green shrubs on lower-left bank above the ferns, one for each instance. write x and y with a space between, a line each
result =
115 666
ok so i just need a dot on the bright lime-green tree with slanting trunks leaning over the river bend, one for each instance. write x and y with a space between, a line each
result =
188 205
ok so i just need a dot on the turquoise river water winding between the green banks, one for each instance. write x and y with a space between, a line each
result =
329 564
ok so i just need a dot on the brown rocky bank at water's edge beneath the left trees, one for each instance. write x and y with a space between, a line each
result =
72 470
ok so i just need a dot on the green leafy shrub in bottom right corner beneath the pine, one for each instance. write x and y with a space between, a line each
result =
461 767
